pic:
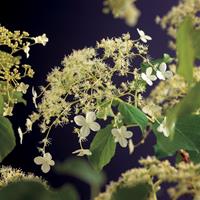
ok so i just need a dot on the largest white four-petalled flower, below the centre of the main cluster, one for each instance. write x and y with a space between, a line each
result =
86 124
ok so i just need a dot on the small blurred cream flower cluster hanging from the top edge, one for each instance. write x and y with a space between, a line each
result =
123 9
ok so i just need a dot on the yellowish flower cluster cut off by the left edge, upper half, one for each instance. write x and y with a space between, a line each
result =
11 70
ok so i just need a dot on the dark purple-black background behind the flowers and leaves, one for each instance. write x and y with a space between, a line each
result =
72 25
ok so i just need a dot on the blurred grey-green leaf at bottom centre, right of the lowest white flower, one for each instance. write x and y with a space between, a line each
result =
82 170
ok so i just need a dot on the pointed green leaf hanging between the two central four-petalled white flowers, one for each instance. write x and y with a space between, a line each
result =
102 148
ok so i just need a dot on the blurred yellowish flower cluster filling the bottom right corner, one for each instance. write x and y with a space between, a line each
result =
154 173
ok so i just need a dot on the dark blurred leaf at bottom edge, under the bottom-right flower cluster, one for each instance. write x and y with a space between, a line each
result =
139 192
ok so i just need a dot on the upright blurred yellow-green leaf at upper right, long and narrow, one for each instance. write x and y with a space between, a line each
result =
185 49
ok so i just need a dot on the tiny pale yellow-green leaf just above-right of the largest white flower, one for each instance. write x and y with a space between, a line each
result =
105 110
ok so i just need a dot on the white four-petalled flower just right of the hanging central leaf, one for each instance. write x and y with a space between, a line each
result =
121 135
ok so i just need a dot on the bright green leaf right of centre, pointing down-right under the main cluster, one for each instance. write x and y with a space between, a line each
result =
132 115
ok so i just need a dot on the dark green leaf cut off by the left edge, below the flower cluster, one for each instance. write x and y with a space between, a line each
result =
7 137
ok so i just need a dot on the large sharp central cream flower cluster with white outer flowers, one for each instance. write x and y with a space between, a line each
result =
86 86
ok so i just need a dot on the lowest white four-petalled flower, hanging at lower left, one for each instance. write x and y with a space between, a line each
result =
46 161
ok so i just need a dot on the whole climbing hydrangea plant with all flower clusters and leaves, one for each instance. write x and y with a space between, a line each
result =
101 91
